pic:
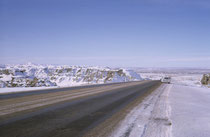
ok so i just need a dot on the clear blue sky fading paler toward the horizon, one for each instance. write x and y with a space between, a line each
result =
124 33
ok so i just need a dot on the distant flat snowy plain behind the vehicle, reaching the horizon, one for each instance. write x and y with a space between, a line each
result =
181 76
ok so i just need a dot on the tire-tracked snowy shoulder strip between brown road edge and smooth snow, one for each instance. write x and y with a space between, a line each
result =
150 118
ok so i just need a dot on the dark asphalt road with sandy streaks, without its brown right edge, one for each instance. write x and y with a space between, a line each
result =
68 112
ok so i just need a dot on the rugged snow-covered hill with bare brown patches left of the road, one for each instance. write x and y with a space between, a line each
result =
31 75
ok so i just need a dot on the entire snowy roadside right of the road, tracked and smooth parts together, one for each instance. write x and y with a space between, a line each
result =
173 110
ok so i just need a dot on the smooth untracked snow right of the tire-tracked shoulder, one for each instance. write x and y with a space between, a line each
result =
190 113
